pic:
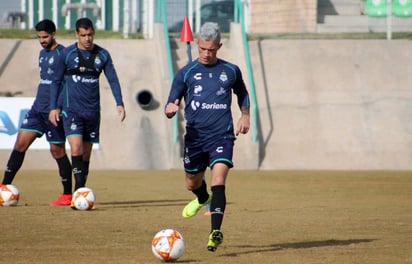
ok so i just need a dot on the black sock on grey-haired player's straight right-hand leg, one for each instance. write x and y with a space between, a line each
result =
217 206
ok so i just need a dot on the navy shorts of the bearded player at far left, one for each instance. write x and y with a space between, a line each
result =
39 123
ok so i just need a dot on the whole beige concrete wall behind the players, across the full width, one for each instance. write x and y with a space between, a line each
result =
322 104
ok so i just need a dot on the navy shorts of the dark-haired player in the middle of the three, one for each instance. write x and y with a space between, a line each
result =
84 124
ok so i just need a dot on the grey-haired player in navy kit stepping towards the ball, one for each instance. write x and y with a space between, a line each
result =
206 85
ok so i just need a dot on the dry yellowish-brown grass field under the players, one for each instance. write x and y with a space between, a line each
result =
271 217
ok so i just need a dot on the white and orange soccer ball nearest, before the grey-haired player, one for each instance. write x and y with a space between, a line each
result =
168 245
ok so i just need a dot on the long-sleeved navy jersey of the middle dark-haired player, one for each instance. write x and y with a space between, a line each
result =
80 76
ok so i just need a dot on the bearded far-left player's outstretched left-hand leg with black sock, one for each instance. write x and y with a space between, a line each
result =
24 139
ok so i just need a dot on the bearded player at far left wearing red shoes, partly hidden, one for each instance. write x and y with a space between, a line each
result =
36 122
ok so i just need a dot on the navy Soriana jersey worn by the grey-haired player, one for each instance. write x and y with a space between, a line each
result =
207 92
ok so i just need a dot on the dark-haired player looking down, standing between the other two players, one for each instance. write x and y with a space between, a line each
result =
80 69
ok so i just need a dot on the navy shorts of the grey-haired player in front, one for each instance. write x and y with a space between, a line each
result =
197 159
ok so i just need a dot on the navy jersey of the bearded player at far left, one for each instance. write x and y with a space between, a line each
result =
47 66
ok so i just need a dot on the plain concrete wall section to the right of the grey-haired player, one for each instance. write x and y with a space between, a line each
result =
334 104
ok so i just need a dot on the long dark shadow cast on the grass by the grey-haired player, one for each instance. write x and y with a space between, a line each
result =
297 245
